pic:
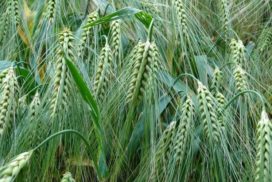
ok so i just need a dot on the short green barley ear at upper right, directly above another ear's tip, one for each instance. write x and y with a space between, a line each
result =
237 51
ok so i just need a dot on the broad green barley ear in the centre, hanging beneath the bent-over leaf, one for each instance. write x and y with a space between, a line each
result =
145 63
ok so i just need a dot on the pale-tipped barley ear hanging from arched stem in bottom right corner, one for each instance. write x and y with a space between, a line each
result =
264 150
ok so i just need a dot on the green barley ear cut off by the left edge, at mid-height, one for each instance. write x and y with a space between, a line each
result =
8 100
